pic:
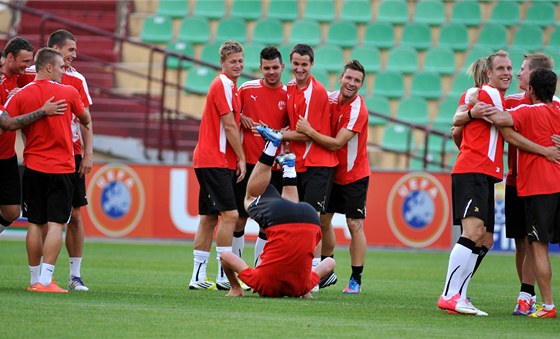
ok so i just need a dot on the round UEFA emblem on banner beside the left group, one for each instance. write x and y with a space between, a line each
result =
116 200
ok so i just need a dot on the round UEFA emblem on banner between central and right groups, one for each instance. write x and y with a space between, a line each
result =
418 209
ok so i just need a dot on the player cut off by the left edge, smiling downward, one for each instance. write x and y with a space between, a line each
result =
18 55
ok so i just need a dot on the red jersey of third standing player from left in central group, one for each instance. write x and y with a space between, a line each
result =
311 103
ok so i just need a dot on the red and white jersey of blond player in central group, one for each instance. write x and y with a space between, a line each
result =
213 150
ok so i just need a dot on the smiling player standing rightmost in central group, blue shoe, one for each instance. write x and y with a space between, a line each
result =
349 118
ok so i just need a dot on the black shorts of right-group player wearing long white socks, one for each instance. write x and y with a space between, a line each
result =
473 196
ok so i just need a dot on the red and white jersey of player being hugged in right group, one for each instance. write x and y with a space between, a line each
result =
482 147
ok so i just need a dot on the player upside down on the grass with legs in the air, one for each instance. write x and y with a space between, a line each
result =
292 228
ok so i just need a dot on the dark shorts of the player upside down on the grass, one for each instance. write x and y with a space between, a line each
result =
269 209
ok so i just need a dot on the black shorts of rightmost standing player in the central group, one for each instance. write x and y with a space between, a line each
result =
349 199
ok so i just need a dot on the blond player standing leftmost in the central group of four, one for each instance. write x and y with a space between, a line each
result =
217 158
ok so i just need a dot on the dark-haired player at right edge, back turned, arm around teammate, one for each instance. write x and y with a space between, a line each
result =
538 180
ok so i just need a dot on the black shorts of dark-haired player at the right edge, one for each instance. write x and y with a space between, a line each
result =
543 217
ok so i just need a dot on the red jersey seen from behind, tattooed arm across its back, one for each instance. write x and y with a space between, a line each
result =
48 141
